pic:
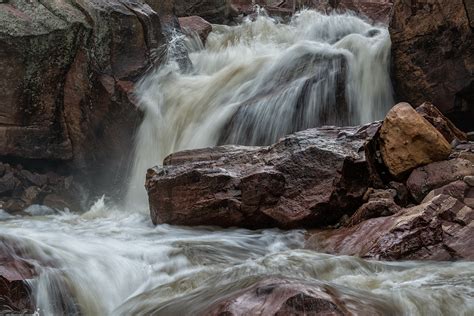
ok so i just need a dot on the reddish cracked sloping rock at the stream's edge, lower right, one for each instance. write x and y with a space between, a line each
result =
440 229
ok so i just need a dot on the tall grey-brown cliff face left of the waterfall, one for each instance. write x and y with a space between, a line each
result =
68 74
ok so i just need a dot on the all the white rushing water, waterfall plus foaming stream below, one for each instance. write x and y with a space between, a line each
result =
251 84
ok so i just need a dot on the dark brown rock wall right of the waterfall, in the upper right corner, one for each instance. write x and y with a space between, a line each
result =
433 57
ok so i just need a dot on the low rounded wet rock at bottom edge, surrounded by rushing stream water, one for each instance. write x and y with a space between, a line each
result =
276 296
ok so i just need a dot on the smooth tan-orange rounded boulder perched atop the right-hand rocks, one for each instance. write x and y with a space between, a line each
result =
407 141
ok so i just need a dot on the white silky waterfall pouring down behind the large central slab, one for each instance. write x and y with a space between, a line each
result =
256 82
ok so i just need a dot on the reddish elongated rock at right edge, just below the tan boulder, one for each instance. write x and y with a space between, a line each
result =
424 179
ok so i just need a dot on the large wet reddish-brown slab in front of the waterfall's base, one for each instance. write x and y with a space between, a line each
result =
308 179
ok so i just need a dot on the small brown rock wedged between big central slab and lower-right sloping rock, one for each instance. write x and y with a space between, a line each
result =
380 203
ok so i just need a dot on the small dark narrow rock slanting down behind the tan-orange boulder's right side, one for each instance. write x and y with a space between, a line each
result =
440 122
